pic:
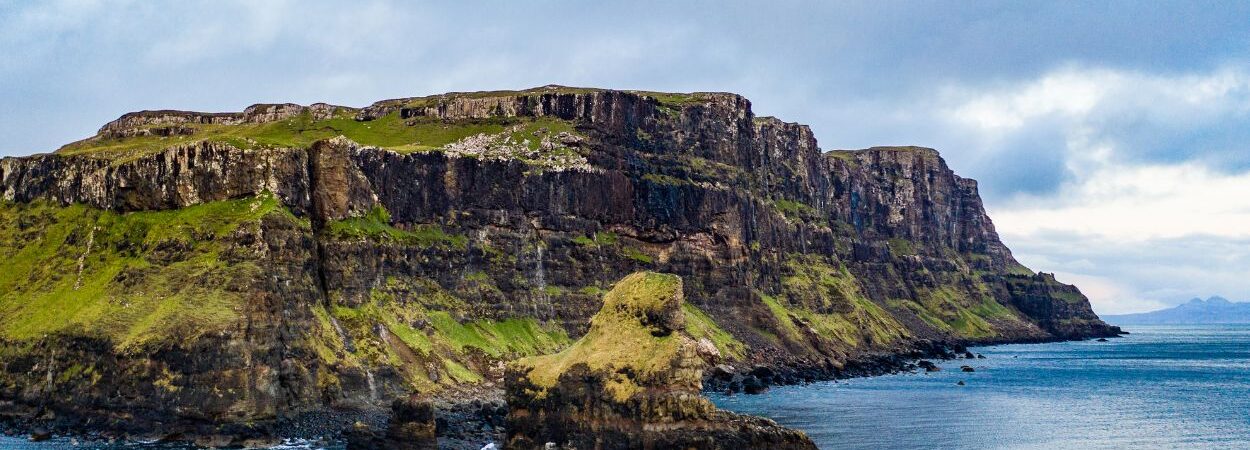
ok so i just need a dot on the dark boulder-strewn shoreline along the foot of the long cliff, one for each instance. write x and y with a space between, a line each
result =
477 421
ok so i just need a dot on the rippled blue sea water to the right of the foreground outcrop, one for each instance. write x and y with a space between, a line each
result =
1159 388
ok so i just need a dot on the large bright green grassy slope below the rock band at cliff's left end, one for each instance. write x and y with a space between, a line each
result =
139 281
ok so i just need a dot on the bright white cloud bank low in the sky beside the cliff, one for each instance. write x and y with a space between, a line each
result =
1133 232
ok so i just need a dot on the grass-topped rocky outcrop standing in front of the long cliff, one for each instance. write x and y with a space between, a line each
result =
633 382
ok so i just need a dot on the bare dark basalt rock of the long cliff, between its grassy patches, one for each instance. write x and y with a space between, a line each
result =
741 207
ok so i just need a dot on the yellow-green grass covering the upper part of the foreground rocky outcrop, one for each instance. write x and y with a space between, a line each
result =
619 342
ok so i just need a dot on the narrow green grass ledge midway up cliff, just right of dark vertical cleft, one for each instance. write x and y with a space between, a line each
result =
377 226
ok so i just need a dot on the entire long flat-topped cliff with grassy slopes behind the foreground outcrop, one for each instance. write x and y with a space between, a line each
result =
438 237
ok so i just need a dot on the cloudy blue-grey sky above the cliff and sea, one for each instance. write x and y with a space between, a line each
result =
1112 139
